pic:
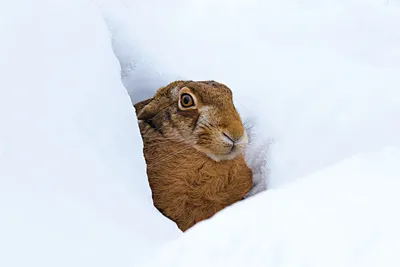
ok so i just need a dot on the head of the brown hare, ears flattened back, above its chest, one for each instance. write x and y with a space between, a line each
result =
200 114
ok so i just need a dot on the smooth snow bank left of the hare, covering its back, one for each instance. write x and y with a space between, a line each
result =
73 189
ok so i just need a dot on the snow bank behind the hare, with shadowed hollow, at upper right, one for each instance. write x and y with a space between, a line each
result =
318 78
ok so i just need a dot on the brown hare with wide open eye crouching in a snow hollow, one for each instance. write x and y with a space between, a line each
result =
193 141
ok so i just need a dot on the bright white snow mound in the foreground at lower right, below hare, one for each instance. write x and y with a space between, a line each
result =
345 215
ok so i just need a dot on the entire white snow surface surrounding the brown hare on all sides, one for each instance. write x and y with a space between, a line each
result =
317 79
